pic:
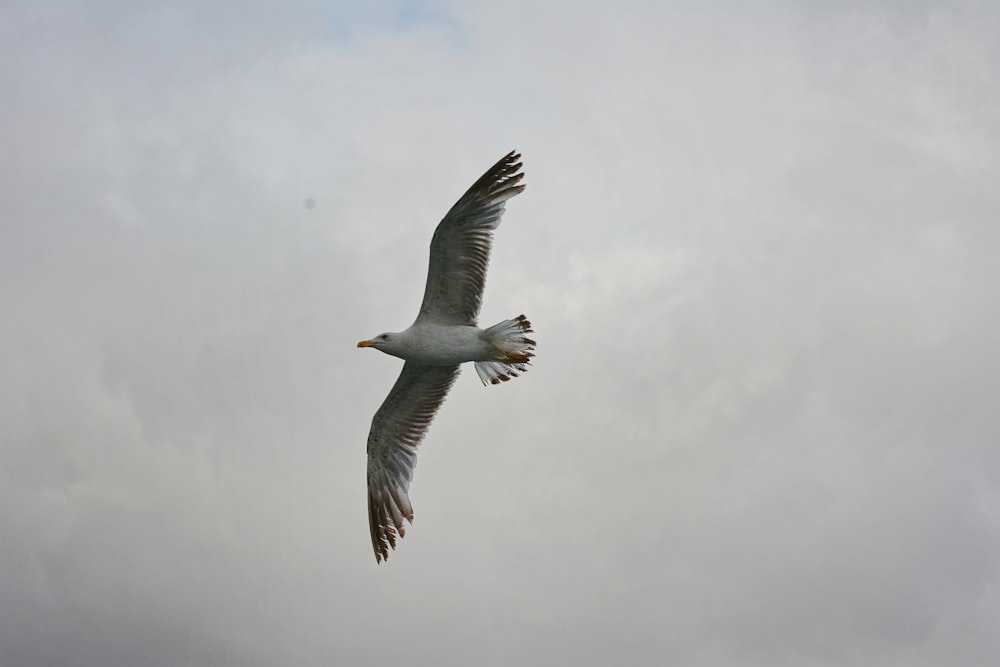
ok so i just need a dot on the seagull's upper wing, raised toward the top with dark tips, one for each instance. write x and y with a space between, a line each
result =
460 249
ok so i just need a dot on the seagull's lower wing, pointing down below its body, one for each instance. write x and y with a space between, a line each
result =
397 428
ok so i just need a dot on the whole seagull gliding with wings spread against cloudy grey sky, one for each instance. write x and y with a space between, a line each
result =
444 336
